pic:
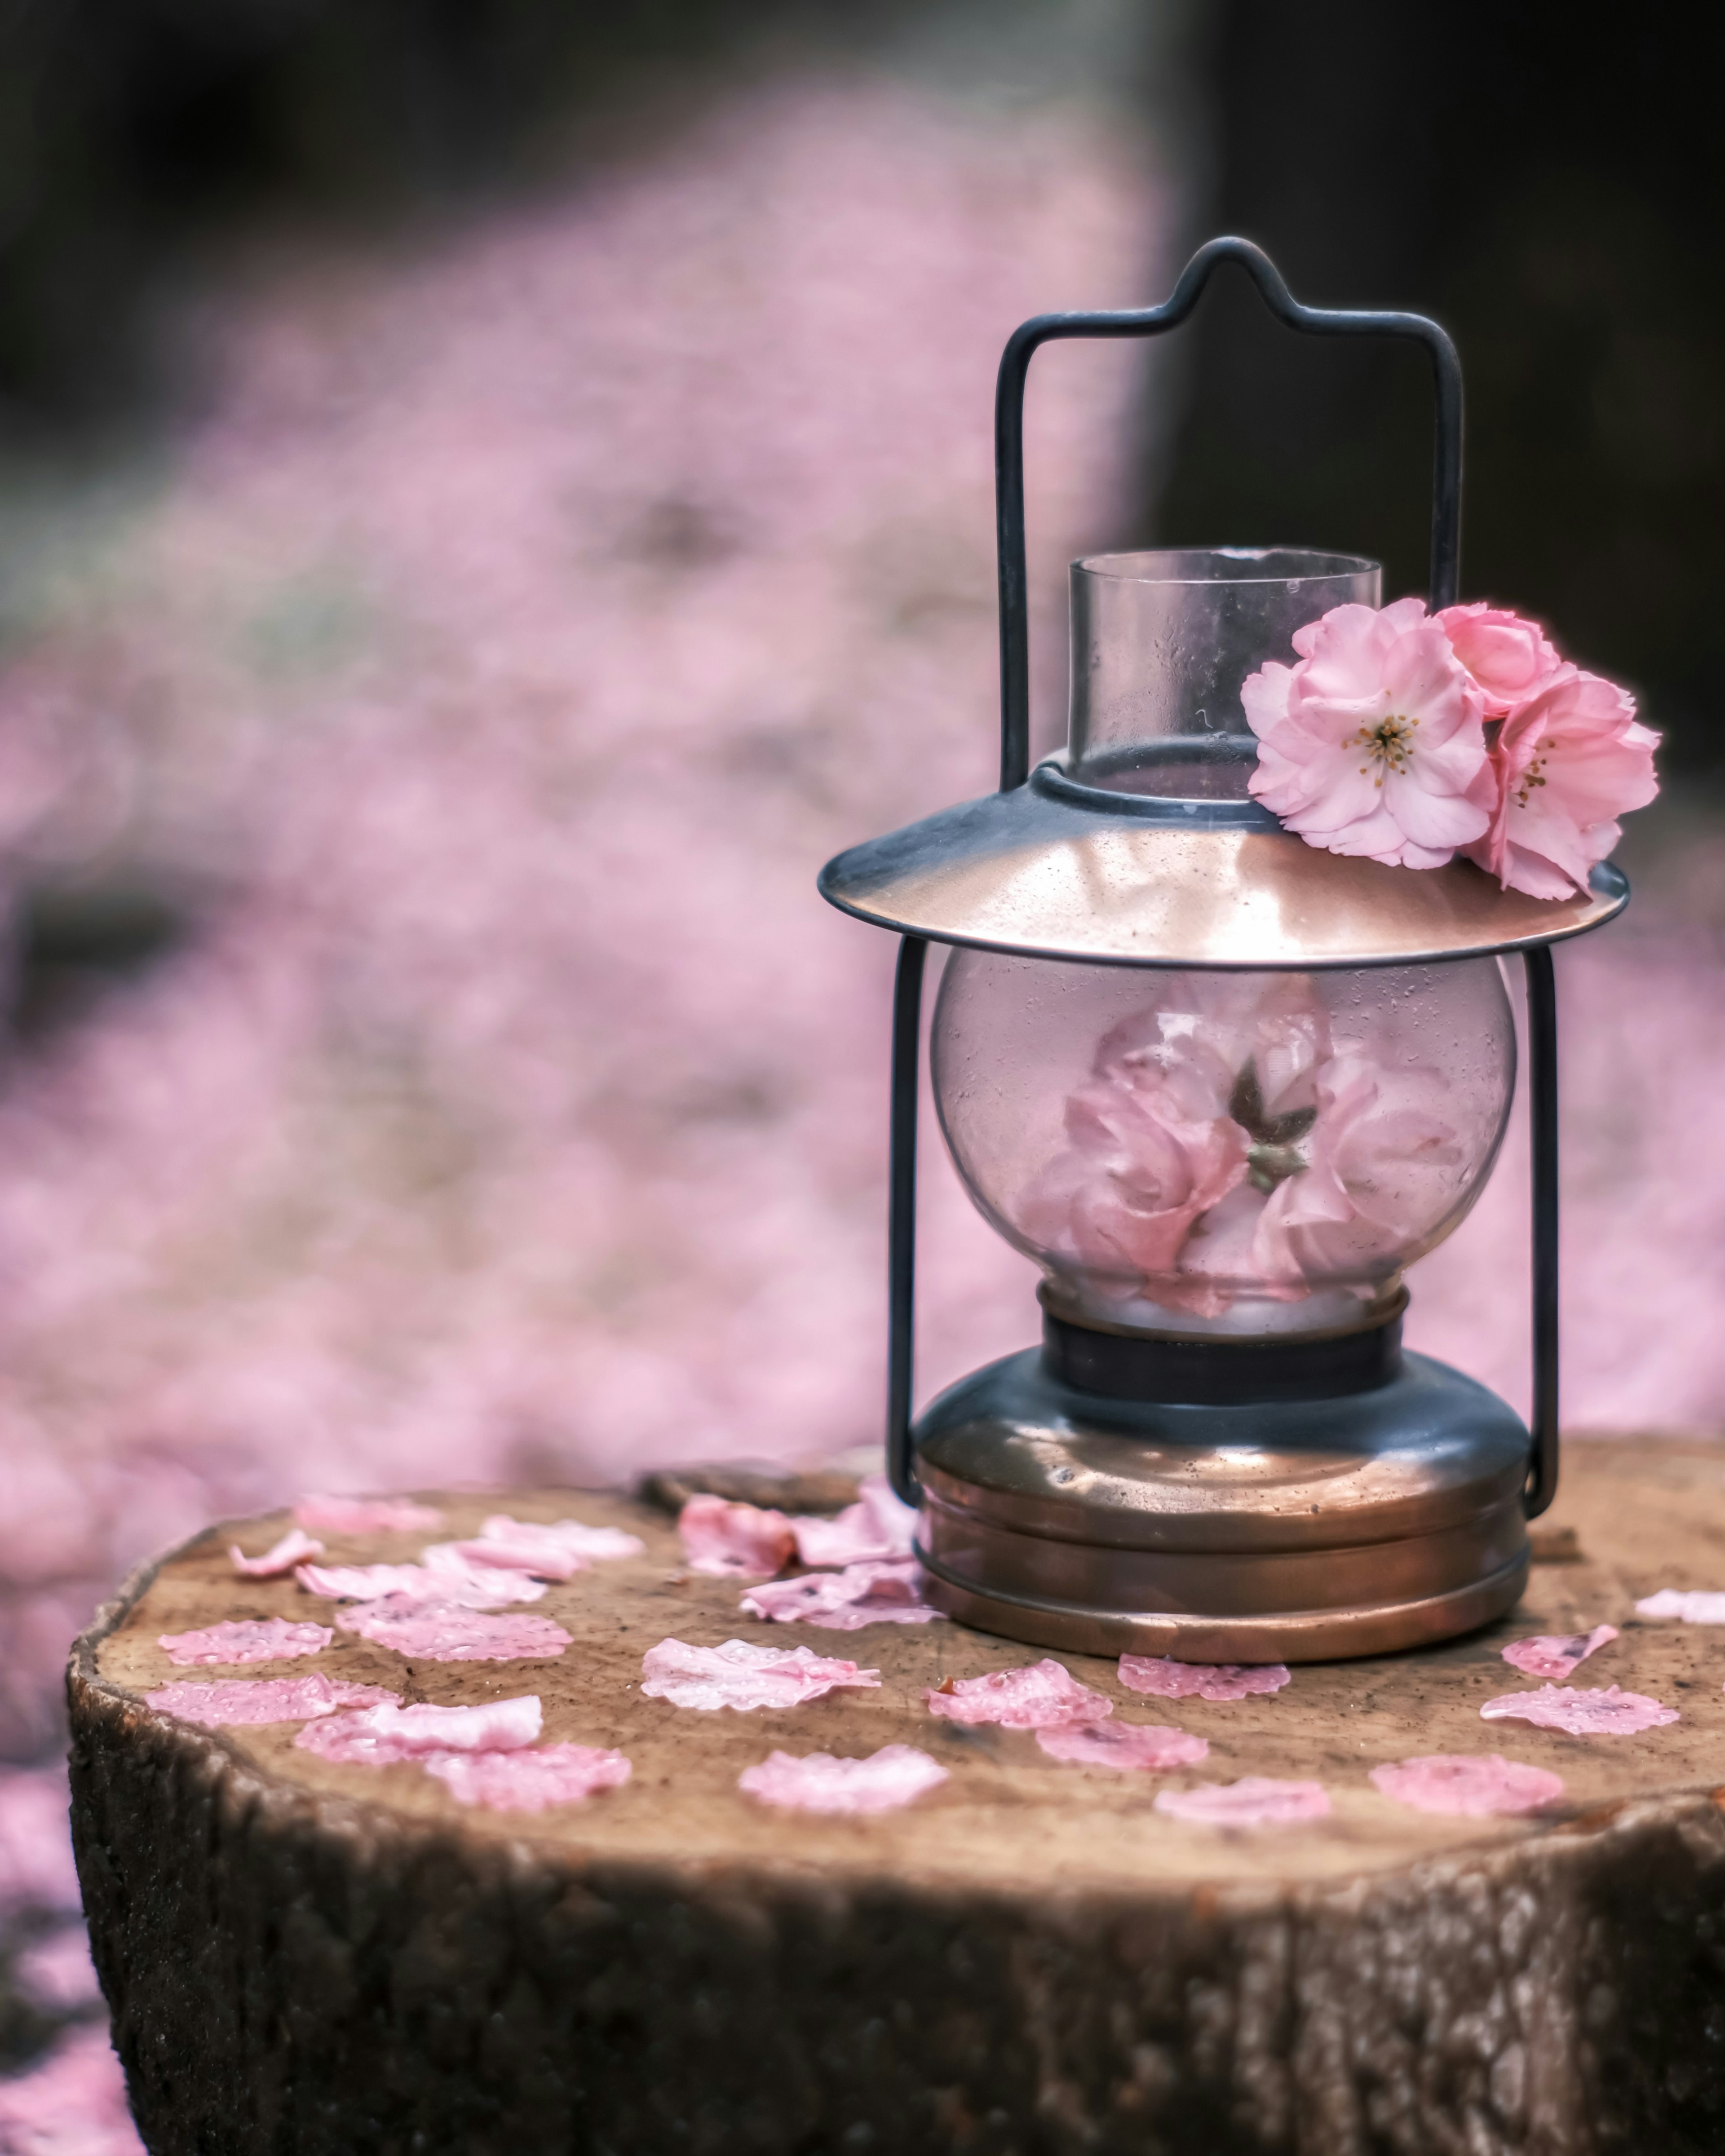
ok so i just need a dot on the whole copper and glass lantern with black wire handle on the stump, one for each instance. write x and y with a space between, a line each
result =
1224 1088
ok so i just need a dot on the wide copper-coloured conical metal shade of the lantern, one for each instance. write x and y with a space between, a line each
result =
1055 870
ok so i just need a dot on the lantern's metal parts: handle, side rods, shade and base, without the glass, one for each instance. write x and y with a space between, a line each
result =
1159 1493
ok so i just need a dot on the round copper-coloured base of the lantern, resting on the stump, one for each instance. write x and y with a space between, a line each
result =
1269 1532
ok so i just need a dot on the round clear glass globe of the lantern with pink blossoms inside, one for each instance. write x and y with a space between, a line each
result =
1222 1152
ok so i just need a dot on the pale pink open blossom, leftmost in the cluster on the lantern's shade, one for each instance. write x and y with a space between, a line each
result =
1375 743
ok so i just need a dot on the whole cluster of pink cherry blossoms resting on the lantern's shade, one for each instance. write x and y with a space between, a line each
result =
1411 738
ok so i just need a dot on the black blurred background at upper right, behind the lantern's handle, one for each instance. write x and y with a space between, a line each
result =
1558 199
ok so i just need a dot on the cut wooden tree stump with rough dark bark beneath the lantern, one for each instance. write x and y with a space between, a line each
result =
322 1959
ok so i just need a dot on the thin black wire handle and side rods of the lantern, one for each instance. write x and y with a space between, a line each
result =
1017 769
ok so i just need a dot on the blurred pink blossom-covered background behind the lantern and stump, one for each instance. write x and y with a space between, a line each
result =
519 628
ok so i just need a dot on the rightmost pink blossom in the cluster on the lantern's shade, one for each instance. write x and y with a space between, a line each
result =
1569 764
